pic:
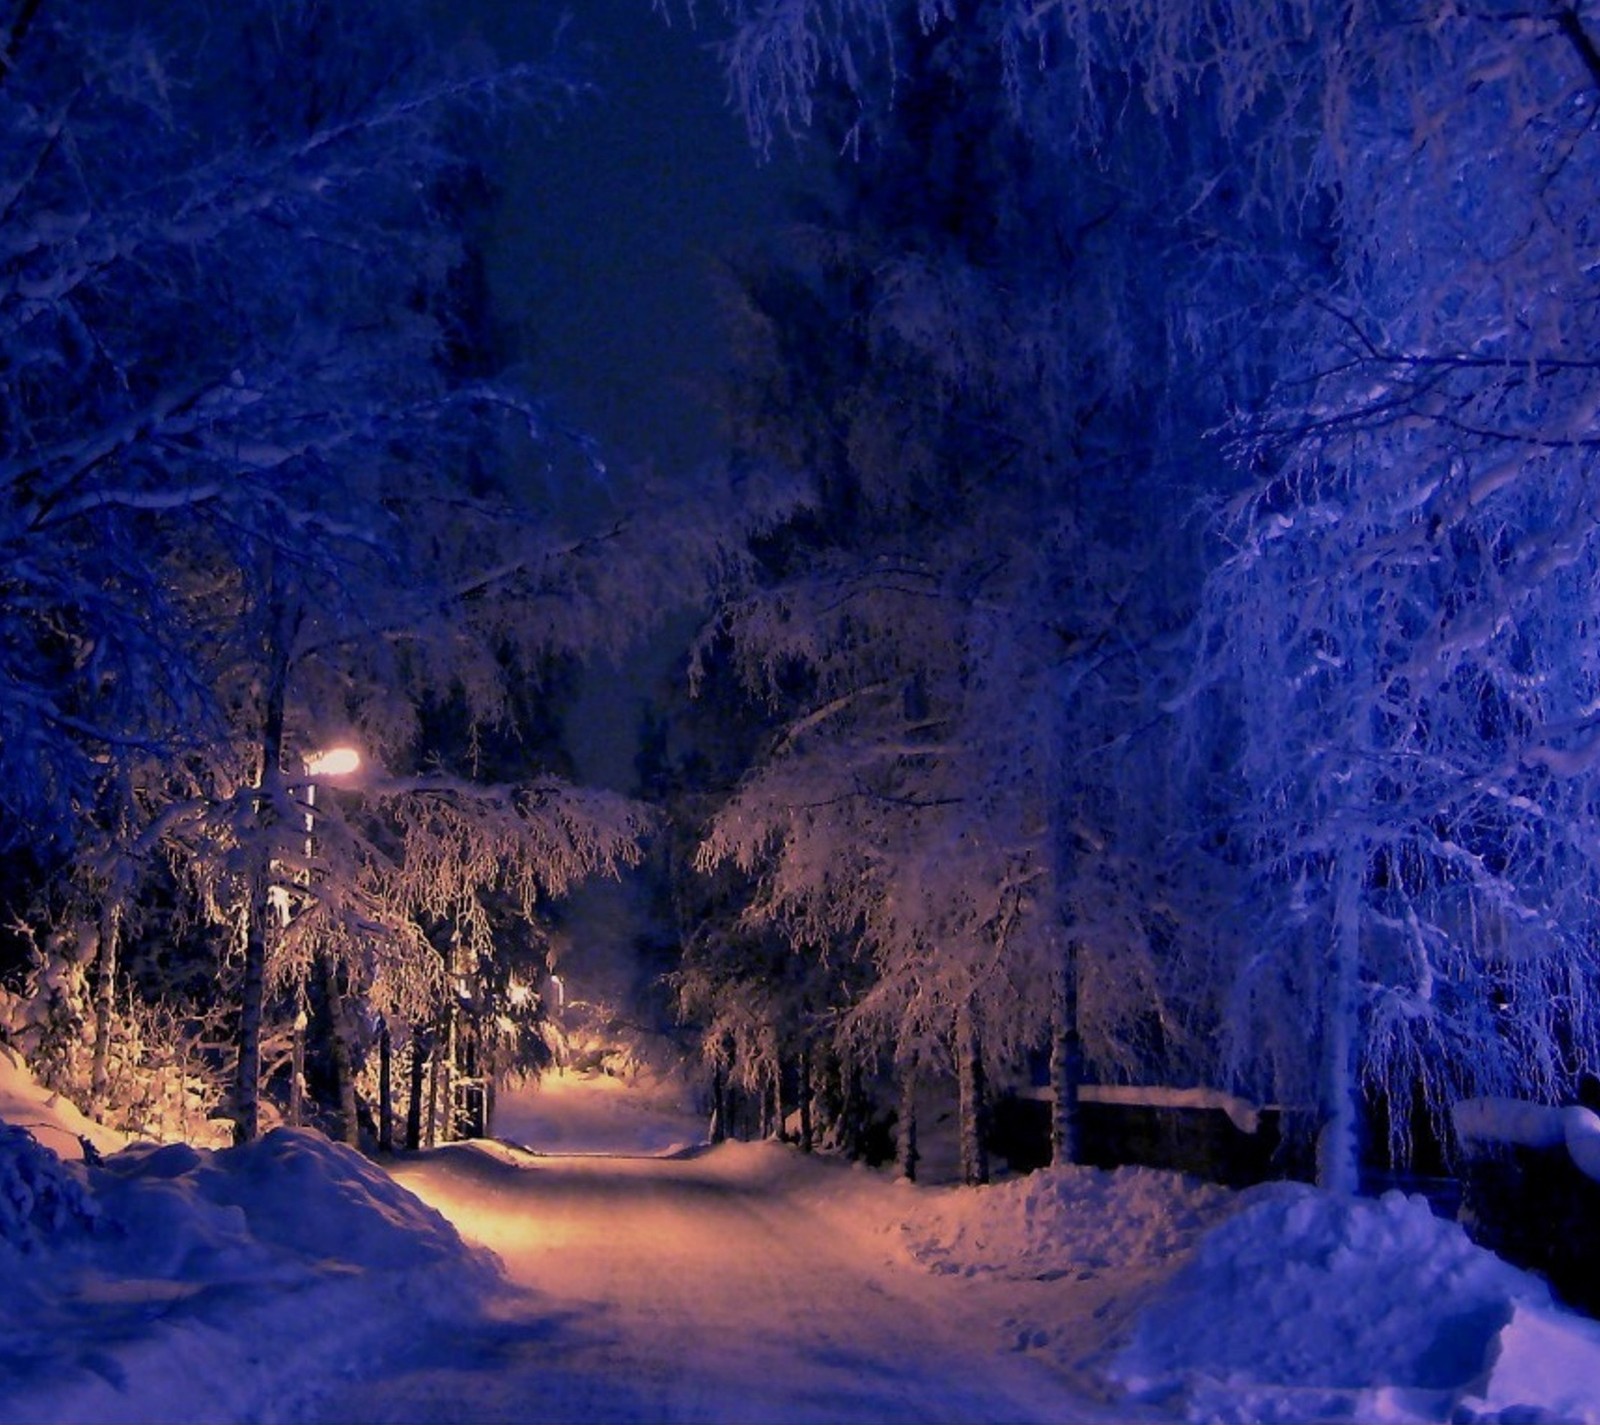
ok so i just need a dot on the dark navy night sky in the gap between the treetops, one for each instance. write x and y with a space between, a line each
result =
615 217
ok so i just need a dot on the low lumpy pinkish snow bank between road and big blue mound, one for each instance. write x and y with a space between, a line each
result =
1065 1223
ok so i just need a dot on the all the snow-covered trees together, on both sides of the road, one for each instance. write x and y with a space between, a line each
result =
1146 602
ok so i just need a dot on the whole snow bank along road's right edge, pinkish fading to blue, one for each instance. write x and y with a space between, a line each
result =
1278 1304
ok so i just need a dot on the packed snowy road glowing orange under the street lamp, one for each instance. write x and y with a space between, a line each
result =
705 1288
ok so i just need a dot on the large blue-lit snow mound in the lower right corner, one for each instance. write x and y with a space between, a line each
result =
1313 1307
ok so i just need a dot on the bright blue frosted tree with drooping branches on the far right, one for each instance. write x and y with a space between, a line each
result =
1391 716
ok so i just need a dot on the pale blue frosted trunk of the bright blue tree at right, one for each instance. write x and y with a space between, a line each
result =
1338 1146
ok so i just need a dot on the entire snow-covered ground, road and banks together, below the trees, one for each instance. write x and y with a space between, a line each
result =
639 1275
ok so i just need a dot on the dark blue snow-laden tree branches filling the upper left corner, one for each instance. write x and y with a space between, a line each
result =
204 301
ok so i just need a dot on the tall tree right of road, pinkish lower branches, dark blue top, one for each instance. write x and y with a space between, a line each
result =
938 641
